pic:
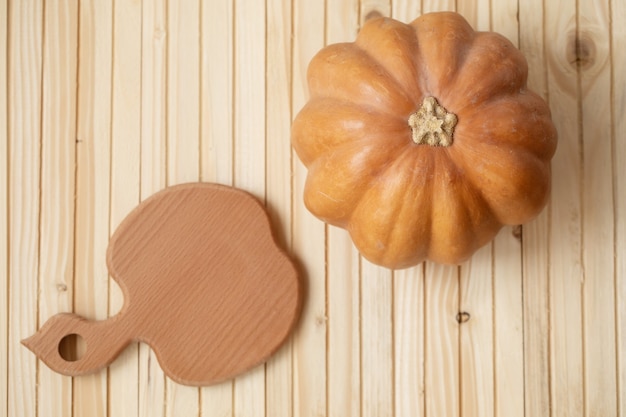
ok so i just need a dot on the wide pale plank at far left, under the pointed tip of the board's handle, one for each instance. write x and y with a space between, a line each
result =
24 60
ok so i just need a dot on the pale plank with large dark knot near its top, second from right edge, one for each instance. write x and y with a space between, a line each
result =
598 295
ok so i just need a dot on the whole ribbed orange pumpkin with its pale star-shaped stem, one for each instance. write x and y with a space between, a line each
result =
422 139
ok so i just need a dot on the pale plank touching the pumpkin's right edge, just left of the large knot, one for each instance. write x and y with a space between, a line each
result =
566 274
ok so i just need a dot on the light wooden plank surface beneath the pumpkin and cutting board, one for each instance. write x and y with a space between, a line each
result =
103 103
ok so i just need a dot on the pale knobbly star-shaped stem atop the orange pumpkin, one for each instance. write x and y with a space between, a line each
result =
432 124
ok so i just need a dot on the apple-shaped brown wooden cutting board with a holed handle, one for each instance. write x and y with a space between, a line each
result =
204 284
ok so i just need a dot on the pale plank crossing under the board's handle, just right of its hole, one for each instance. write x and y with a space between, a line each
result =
93 169
